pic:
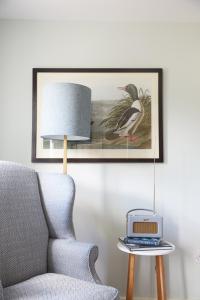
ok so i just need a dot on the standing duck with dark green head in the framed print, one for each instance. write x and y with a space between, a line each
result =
128 115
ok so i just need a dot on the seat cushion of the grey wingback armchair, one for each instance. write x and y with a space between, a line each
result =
58 287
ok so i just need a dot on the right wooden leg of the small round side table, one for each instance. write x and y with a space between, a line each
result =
161 291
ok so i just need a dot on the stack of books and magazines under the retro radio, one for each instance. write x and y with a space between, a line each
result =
144 244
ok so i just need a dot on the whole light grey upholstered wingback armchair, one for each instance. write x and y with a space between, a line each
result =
39 255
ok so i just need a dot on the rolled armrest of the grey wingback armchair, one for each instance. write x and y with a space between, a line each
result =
73 258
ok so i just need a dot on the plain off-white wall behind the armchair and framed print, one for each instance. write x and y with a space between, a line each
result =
106 191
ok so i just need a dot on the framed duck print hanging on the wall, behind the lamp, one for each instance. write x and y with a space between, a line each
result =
126 118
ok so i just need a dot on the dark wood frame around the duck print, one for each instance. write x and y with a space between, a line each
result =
35 72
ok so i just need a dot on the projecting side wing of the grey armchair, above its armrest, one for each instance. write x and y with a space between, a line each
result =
57 195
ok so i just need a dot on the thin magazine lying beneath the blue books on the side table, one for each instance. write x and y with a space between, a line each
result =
163 245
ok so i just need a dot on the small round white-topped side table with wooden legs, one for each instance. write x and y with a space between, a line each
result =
161 290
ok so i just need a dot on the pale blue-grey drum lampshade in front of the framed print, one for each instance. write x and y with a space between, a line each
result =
66 110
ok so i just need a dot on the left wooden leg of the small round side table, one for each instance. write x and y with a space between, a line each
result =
131 272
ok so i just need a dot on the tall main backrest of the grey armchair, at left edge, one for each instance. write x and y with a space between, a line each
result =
23 228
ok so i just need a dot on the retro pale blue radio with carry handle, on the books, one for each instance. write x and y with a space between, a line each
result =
147 224
